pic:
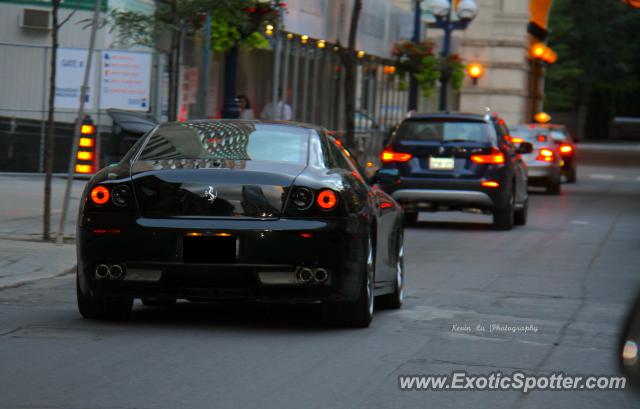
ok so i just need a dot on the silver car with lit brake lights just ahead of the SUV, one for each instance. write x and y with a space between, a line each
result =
545 162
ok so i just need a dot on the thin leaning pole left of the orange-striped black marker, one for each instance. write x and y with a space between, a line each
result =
76 136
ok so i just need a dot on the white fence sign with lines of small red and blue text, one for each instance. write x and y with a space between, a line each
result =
125 80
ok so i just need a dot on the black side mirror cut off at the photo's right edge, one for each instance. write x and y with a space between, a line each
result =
628 351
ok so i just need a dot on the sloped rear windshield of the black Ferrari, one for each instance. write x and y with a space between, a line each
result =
228 140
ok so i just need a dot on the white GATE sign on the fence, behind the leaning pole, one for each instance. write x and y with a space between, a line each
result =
70 63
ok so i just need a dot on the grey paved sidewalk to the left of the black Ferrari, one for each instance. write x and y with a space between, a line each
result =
24 257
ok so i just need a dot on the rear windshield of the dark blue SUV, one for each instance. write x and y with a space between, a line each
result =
445 131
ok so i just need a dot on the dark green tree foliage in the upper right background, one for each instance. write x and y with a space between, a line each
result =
598 51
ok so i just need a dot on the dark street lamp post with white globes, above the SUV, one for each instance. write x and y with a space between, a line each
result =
444 13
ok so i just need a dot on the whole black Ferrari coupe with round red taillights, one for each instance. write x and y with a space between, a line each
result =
230 209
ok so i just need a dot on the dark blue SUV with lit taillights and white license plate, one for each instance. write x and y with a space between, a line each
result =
455 161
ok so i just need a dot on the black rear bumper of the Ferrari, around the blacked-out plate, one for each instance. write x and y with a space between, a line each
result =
269 255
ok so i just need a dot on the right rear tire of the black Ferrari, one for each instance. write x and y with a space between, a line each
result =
360 312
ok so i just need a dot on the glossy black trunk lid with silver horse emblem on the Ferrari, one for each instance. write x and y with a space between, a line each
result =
212 189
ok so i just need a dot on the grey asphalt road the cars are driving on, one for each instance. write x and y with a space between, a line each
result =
571 273
